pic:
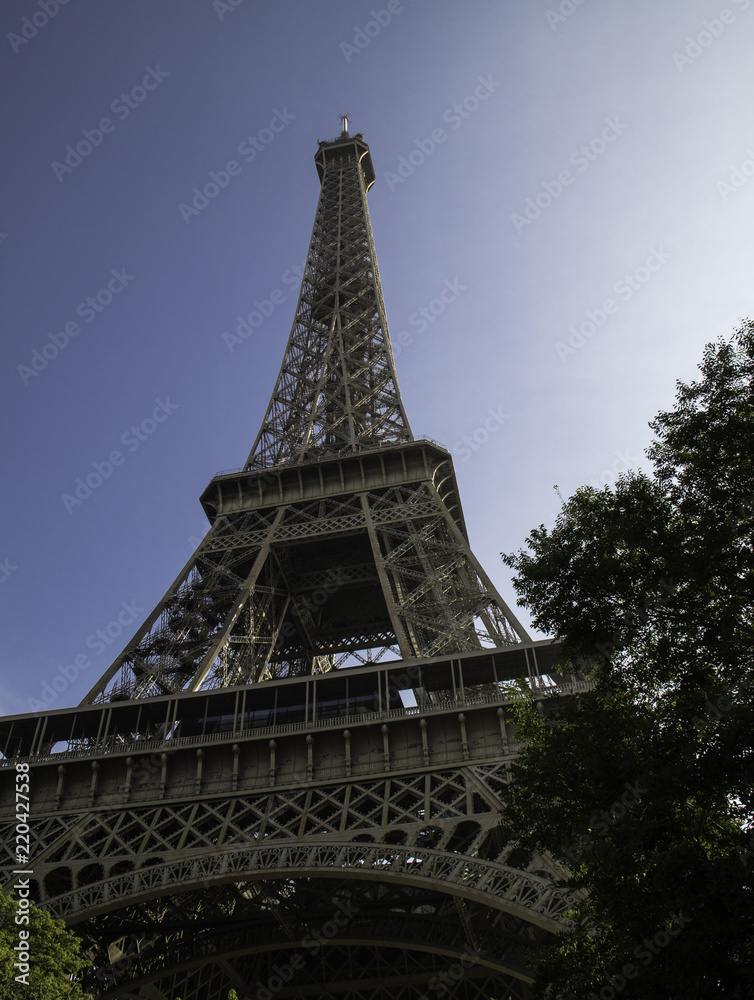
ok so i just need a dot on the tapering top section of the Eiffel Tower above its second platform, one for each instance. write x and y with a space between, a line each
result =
337 391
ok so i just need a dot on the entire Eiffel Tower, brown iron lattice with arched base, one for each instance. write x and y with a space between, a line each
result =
287 783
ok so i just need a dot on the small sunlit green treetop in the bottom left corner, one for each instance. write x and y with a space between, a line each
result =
53 955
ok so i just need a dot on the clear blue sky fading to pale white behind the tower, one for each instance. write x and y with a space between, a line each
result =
576 178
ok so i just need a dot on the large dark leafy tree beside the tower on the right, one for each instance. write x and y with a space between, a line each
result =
643 785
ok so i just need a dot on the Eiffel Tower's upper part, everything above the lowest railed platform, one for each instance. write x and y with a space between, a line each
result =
336 498
